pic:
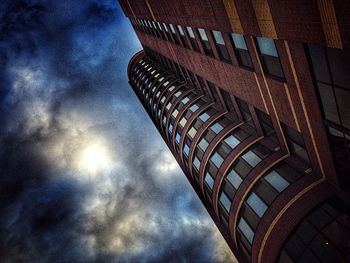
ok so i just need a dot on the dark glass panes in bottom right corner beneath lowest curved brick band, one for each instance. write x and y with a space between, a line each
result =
322 236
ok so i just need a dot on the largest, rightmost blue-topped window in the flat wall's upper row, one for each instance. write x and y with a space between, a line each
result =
269 57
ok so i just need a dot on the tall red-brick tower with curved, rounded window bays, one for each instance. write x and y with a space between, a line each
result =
253 99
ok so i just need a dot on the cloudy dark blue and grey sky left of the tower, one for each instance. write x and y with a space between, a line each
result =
84 175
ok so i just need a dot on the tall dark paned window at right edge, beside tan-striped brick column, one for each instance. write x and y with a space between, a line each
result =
331 71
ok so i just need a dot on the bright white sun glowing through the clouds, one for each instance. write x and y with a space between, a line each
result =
94 159
